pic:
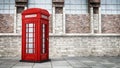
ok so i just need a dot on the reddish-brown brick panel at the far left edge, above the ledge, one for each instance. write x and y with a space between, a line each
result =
6 23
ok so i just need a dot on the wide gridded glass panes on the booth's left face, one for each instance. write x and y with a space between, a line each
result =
30 41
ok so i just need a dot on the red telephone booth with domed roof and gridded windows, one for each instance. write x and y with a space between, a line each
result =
35 35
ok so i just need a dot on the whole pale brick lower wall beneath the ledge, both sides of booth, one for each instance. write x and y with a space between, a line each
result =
65 46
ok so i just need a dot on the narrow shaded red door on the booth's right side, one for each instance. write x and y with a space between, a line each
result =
44 45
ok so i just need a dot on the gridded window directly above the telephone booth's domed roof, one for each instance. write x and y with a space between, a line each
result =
46 4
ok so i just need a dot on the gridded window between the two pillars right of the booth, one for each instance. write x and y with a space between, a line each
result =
76 6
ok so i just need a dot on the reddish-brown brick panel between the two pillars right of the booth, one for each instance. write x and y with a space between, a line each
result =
77 23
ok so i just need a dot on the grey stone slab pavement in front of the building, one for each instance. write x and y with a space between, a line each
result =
65 62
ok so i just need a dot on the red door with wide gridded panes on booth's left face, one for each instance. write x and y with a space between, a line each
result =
29 39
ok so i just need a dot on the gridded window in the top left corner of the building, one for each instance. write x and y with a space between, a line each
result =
7 6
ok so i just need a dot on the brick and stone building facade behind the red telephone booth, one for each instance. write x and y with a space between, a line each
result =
77 27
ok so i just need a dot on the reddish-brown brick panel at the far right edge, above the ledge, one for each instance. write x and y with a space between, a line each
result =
110 23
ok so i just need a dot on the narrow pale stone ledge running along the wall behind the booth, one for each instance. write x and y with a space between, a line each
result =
62 35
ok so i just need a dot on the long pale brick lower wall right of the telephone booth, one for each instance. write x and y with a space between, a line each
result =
67 46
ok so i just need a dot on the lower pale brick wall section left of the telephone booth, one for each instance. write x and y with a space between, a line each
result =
10 46
